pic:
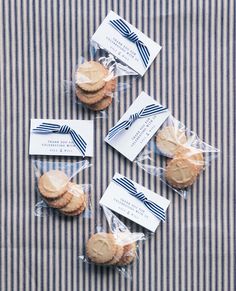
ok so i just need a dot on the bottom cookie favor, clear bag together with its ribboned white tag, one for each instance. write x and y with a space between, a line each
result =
117 246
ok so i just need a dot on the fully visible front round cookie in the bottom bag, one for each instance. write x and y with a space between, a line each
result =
101 247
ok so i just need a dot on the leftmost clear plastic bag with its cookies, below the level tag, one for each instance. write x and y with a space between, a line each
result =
57 190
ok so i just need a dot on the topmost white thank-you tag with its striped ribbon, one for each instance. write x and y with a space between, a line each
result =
119 40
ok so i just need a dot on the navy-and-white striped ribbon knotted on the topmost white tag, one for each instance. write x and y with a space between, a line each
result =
124 29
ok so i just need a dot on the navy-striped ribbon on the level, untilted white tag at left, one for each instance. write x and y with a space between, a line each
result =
47 128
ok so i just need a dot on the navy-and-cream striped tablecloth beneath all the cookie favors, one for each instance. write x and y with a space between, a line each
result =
41 41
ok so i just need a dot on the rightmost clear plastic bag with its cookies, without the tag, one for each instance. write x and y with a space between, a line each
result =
187 156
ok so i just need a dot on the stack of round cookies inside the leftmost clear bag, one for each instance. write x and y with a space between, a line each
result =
58 192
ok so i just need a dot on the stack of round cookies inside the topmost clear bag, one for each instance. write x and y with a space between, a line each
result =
94 85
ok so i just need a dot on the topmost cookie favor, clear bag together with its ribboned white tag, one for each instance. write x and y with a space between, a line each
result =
118 49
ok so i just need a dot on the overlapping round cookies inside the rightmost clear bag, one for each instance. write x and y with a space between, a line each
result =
187 162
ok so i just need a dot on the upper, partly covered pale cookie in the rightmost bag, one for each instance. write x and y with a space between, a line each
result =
168 139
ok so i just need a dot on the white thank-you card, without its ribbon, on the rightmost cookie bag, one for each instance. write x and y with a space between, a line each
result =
130 142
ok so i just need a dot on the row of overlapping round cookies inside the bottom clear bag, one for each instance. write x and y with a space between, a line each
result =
103 248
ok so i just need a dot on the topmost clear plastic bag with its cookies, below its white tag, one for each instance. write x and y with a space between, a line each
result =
96 80
